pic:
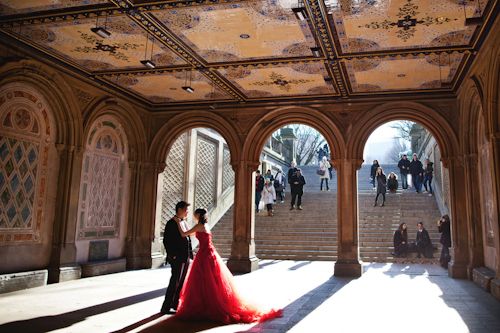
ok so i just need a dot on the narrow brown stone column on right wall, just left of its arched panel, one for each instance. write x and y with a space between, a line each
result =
474 222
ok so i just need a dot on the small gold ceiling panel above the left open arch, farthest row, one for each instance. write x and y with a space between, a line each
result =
167 87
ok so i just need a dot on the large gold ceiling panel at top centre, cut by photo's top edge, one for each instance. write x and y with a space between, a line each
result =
240 31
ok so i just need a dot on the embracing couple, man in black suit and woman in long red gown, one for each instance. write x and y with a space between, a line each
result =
209 291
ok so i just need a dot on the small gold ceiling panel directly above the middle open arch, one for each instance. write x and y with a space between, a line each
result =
280 81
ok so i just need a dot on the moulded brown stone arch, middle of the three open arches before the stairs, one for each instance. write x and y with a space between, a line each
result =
276 119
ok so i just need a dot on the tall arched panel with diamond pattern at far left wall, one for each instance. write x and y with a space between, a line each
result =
24 158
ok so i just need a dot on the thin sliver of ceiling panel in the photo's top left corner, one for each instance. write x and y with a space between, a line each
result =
10 7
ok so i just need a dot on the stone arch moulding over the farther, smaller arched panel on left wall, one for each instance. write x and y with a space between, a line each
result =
132 126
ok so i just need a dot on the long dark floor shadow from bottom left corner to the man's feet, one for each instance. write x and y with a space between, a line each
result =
52 323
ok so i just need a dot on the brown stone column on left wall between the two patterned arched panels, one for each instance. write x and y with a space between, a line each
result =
63 266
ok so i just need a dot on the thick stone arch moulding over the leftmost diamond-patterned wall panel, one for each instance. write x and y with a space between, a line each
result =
51 85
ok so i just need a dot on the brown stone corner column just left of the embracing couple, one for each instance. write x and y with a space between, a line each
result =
141 213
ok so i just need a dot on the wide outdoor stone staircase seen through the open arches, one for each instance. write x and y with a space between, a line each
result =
311 234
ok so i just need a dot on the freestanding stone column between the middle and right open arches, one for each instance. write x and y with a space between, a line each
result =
348 262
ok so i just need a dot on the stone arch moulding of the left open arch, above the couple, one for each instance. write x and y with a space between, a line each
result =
179 124
